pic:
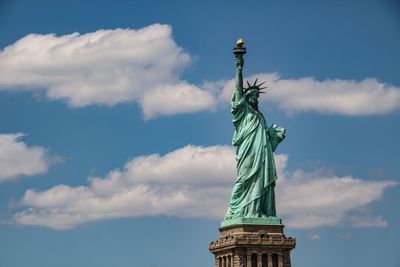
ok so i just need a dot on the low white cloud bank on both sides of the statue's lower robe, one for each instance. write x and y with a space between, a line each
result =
196 182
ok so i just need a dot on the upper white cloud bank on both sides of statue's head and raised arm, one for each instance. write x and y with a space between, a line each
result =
109 67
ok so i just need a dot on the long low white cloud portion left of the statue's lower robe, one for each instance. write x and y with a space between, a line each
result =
189 182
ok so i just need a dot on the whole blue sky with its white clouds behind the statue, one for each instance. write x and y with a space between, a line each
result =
115 128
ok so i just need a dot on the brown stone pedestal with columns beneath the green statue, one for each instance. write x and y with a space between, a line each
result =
250 245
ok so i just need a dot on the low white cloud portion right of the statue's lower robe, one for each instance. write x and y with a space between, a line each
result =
315 199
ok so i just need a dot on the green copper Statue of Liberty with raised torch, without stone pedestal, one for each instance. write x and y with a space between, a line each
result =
253 196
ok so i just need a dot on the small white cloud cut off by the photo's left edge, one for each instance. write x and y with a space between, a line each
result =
17 159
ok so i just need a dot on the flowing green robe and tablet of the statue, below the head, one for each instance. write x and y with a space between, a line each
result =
253 193
